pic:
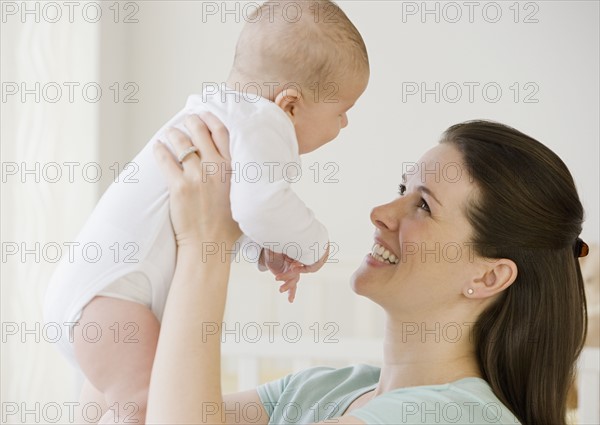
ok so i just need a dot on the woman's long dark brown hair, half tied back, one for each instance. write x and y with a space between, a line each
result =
527 210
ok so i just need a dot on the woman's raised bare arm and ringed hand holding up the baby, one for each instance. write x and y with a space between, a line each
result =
186 376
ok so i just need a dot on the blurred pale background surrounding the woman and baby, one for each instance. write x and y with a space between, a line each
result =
85 85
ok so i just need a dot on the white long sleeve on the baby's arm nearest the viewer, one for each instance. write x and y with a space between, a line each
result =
266 208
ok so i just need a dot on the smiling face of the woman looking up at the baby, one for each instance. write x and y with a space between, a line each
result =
425 233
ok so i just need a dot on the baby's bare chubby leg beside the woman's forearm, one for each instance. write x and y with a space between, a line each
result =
115 345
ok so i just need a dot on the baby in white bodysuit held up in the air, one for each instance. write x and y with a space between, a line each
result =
296 76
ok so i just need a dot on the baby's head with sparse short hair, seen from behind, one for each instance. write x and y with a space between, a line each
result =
311 60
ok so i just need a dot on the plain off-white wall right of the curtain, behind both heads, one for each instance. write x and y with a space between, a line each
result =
172 53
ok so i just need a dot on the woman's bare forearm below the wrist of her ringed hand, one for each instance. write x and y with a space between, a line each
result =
186 377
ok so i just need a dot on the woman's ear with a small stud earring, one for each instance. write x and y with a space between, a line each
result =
494 278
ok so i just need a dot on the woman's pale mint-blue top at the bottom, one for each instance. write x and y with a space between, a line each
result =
322 393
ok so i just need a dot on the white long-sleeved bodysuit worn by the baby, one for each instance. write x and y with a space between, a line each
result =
130 231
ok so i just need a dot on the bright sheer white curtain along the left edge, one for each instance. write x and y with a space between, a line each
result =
38 215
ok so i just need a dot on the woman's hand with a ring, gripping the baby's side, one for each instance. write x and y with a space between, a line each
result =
199 188
